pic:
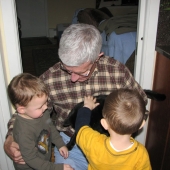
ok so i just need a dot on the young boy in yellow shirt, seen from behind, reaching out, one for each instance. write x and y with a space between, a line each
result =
123 114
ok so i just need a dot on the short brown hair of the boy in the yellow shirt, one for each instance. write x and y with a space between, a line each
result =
124 111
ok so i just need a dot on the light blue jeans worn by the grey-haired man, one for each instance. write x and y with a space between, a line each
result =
76 158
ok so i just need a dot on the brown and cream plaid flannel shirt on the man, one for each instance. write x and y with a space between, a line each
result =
108 75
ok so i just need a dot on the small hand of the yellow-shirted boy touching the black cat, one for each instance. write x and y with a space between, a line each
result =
90 102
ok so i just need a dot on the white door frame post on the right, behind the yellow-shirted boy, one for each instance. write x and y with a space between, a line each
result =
146 40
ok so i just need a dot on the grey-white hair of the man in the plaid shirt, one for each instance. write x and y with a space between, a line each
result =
79 43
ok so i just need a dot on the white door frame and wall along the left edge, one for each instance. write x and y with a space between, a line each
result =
10 65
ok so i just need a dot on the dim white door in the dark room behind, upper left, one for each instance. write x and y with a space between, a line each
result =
33 16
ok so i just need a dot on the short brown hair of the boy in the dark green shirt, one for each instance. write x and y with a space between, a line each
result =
24 87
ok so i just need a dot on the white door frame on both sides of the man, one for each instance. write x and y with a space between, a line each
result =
9 39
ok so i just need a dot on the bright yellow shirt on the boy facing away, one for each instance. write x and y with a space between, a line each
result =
102 156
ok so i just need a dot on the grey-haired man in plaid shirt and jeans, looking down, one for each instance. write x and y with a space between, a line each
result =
83 70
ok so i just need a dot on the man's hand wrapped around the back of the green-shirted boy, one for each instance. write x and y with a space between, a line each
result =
12 150
